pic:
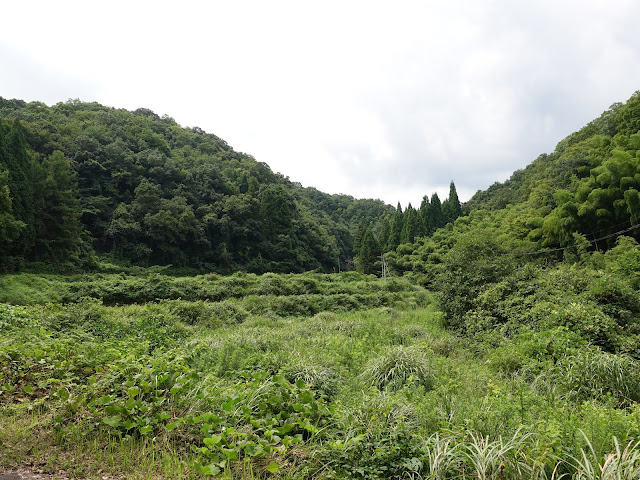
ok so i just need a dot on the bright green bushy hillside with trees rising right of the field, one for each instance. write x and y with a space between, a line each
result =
555 246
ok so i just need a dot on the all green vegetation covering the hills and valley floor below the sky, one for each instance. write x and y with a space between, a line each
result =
505 344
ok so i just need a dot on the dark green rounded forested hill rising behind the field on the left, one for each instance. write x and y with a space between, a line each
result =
78 178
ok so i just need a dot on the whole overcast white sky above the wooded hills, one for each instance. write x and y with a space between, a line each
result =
388 100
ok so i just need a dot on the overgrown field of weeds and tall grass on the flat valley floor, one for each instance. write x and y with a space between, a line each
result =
298 376
